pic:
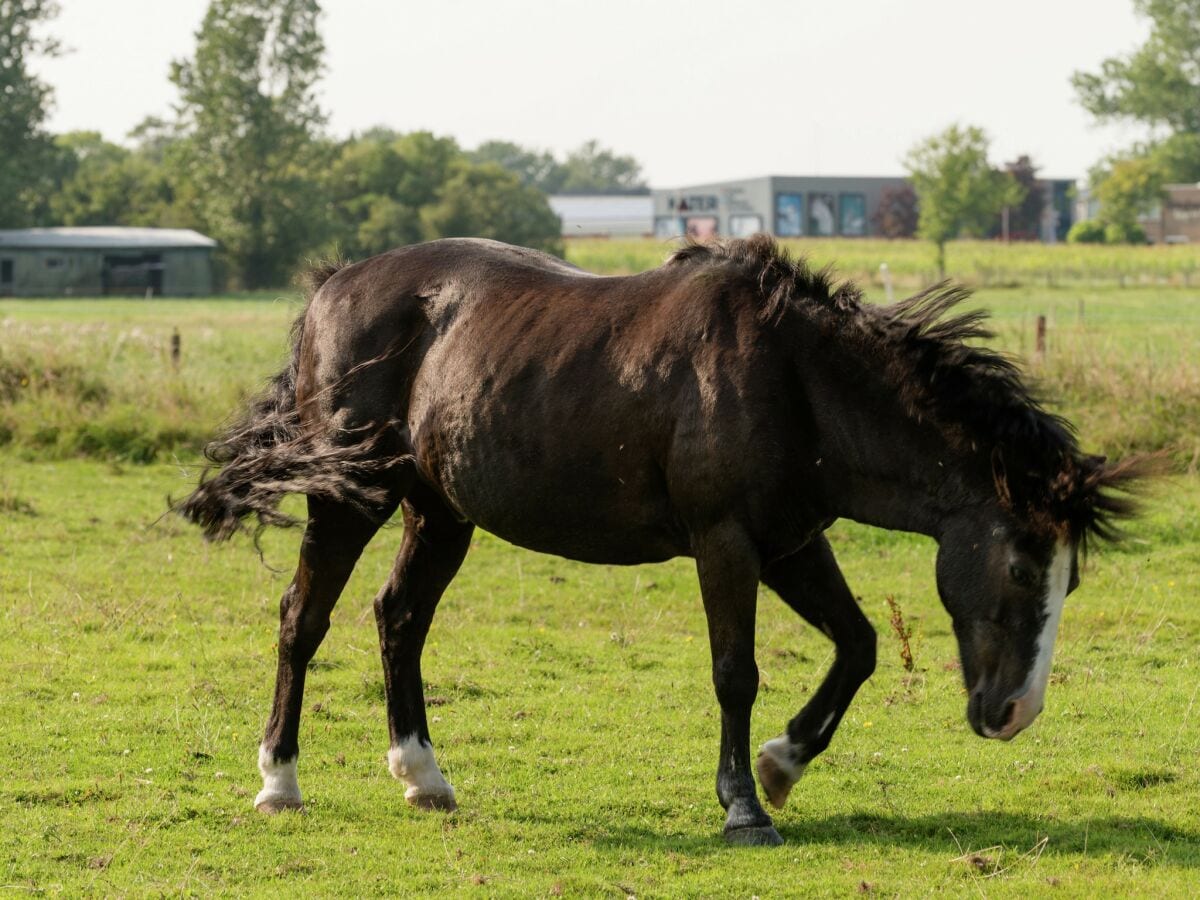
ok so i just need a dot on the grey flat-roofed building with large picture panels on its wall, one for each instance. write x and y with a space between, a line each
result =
806 207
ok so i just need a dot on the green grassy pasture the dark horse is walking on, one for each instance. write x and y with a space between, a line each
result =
571 705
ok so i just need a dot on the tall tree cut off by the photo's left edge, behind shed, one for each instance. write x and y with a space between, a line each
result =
26 151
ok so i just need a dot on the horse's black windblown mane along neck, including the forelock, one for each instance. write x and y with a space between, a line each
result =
976 397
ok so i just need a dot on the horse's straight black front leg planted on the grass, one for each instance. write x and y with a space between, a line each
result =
728 566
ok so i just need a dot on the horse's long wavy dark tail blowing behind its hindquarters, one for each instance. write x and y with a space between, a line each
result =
268 453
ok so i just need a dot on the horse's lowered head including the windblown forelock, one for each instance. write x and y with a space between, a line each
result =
1006 566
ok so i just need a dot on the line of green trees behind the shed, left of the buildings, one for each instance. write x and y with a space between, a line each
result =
247 160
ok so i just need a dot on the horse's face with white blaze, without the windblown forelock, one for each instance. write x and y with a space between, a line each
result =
1005 587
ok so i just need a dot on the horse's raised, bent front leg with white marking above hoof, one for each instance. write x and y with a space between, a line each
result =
811 583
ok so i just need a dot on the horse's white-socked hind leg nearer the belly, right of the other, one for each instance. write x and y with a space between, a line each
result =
434 548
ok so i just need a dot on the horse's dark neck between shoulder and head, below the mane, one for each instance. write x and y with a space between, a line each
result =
887 470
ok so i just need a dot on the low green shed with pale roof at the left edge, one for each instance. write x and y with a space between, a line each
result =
97 262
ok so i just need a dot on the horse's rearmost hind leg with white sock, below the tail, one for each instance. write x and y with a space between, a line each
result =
333 543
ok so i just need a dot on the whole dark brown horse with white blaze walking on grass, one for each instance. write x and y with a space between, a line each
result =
728 406
